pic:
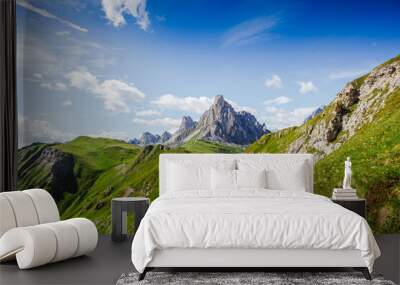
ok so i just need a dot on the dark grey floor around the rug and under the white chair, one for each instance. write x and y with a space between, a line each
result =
110 260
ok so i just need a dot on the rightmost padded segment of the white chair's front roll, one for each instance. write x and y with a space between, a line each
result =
87 234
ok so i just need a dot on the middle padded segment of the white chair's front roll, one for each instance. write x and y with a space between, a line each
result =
67 240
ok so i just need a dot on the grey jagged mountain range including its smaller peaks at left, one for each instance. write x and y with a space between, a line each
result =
220 123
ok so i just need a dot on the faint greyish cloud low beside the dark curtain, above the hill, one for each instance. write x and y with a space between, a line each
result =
30 131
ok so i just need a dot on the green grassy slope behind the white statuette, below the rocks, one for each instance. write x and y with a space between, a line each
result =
375 152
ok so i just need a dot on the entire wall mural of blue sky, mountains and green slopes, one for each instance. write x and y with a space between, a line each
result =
104 87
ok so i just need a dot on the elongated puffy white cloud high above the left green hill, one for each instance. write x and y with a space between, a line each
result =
114 93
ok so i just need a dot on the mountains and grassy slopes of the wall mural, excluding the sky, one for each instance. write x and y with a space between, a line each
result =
363 121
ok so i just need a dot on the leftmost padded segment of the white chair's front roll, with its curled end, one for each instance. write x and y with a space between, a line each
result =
34 246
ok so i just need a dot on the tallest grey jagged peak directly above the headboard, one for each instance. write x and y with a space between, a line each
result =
222 123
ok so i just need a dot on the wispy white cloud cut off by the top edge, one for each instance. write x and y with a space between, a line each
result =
115 11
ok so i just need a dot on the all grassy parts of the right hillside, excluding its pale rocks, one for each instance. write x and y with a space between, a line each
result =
375 153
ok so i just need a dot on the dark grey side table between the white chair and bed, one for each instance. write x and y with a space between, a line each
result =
119 209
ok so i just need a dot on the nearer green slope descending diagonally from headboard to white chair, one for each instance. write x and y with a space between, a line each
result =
137 175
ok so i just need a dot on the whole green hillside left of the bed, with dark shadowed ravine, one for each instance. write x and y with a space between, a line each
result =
102 169
